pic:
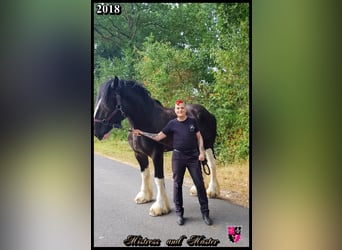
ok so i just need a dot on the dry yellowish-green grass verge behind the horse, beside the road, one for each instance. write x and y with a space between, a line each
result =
233 179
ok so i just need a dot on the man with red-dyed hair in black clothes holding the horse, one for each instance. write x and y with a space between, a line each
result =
188 152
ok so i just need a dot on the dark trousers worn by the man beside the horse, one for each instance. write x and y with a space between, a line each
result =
180 162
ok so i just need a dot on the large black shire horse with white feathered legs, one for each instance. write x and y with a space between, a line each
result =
121 99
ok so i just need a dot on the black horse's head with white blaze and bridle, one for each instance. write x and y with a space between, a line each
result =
108 110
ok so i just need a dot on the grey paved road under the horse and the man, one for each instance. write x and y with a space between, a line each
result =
116 215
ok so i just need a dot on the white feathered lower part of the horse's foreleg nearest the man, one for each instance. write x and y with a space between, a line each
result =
161 205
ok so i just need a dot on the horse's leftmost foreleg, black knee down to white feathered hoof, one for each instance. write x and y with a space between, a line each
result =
146 192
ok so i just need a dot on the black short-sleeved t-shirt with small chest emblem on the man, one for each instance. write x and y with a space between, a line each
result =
184 134
